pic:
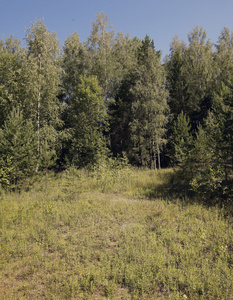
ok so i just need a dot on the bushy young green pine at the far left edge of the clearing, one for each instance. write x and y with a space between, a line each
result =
17 149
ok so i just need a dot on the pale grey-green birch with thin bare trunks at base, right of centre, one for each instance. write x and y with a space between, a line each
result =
149 107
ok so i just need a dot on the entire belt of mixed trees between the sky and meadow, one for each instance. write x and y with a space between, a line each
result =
112 97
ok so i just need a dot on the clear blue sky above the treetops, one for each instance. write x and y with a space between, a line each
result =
160 19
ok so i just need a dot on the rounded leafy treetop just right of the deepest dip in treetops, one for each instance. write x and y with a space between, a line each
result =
191 76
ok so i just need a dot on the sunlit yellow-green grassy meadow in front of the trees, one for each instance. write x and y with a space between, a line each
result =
112 234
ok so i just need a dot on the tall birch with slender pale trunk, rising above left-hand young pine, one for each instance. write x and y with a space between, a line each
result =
42 75
